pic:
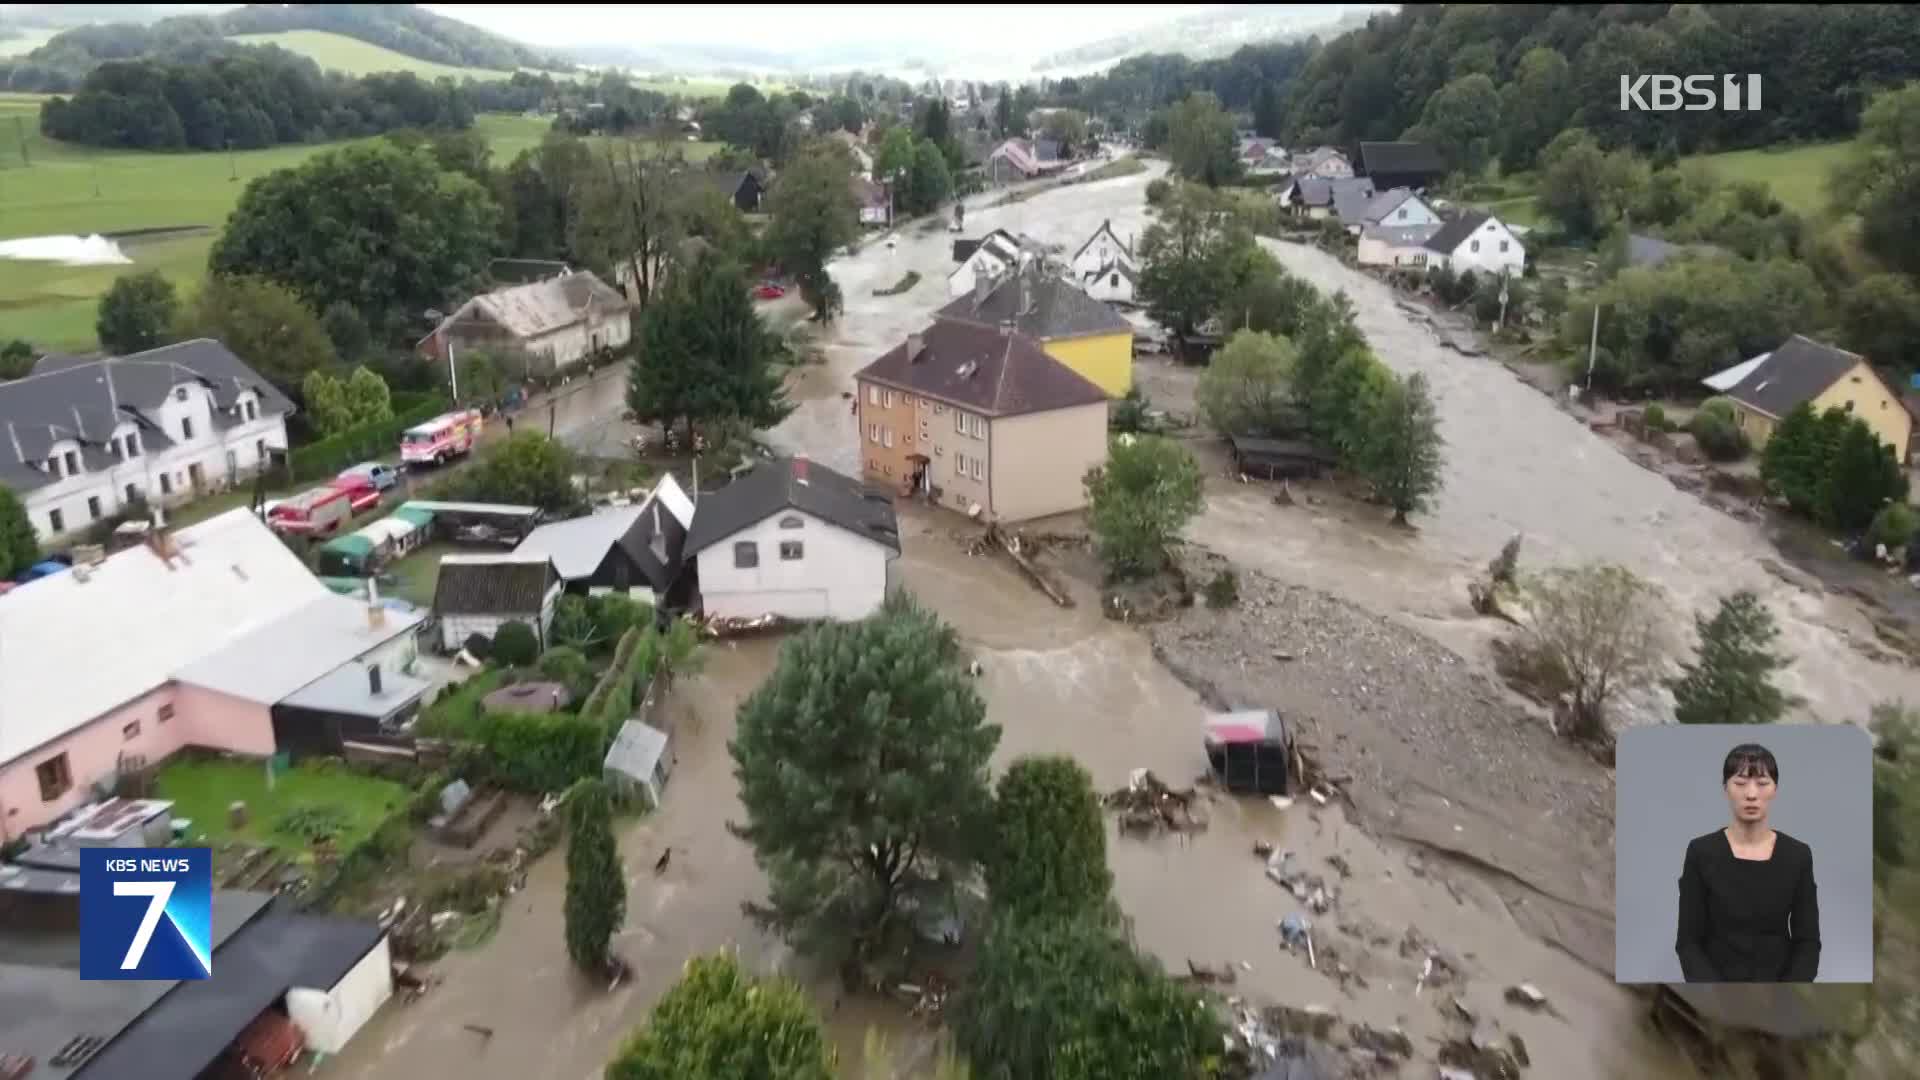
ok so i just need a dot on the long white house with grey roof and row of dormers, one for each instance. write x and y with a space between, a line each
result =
85 439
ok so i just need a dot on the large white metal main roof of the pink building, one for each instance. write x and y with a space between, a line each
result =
89 641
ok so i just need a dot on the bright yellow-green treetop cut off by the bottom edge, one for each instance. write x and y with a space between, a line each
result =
719 1023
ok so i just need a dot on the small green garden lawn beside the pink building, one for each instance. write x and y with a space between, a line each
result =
203 791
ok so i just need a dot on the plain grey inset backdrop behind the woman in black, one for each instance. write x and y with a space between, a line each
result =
1668 791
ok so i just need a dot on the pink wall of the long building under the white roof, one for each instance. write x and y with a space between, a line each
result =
201 718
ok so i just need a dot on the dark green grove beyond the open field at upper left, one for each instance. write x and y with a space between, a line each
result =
243 99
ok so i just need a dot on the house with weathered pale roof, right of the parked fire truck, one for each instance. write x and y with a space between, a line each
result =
550 326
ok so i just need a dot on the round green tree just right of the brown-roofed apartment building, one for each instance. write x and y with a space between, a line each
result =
1140 503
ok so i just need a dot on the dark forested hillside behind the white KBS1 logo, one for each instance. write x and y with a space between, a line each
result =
1491 82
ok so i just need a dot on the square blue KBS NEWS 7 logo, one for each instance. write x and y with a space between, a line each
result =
147 914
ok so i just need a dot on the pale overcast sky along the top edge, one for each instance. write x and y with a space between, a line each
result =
930 28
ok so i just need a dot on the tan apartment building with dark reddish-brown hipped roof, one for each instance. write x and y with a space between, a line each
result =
980 416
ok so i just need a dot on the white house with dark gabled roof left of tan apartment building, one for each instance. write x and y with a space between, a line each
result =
798 541
